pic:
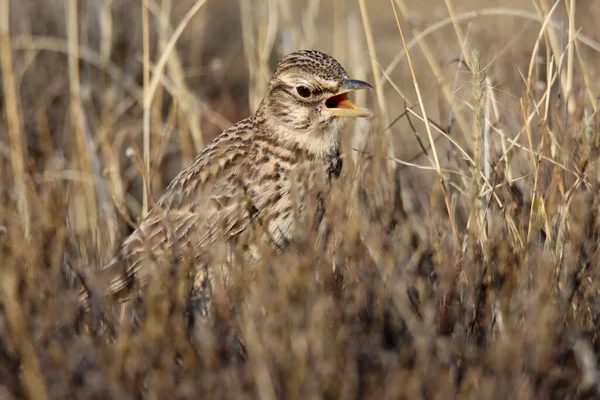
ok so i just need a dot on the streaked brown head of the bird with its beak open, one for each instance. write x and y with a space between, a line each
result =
308 100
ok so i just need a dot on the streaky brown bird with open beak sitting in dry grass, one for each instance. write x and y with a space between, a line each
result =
248 175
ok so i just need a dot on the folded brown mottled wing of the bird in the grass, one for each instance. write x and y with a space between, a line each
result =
206 202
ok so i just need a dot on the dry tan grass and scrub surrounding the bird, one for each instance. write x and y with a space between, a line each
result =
464 256
